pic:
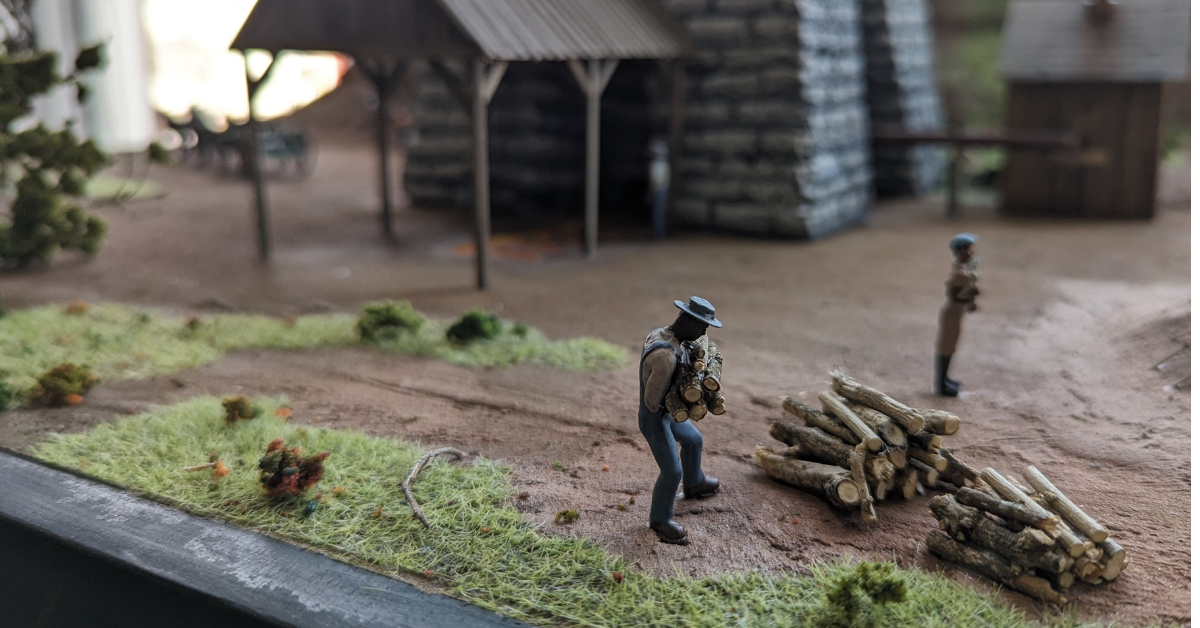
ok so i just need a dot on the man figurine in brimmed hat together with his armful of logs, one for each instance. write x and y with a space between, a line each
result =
668 372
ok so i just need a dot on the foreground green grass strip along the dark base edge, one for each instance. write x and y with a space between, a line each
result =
481 548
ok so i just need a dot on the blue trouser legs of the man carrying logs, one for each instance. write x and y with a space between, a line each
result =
662 434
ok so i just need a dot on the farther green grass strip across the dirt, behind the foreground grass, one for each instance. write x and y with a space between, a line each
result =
123 343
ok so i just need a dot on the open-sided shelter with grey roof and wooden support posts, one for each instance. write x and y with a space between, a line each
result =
385 37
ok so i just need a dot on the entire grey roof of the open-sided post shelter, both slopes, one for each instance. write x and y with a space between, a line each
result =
513 31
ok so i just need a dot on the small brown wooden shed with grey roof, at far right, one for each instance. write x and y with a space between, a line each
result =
1095 69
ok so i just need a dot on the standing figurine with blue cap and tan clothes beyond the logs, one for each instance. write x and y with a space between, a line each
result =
961 295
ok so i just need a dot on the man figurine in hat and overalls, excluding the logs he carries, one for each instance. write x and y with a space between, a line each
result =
662 355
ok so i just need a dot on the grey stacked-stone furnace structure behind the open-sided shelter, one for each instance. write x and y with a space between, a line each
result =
777 122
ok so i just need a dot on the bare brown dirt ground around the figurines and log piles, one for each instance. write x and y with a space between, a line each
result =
1059 364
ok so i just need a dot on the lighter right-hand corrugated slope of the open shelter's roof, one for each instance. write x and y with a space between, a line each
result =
541 31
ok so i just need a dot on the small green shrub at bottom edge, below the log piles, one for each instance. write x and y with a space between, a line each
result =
856 599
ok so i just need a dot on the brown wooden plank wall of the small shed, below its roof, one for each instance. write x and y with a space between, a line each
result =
1115 176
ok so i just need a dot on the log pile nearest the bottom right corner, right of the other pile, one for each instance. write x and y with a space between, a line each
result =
1035 541
